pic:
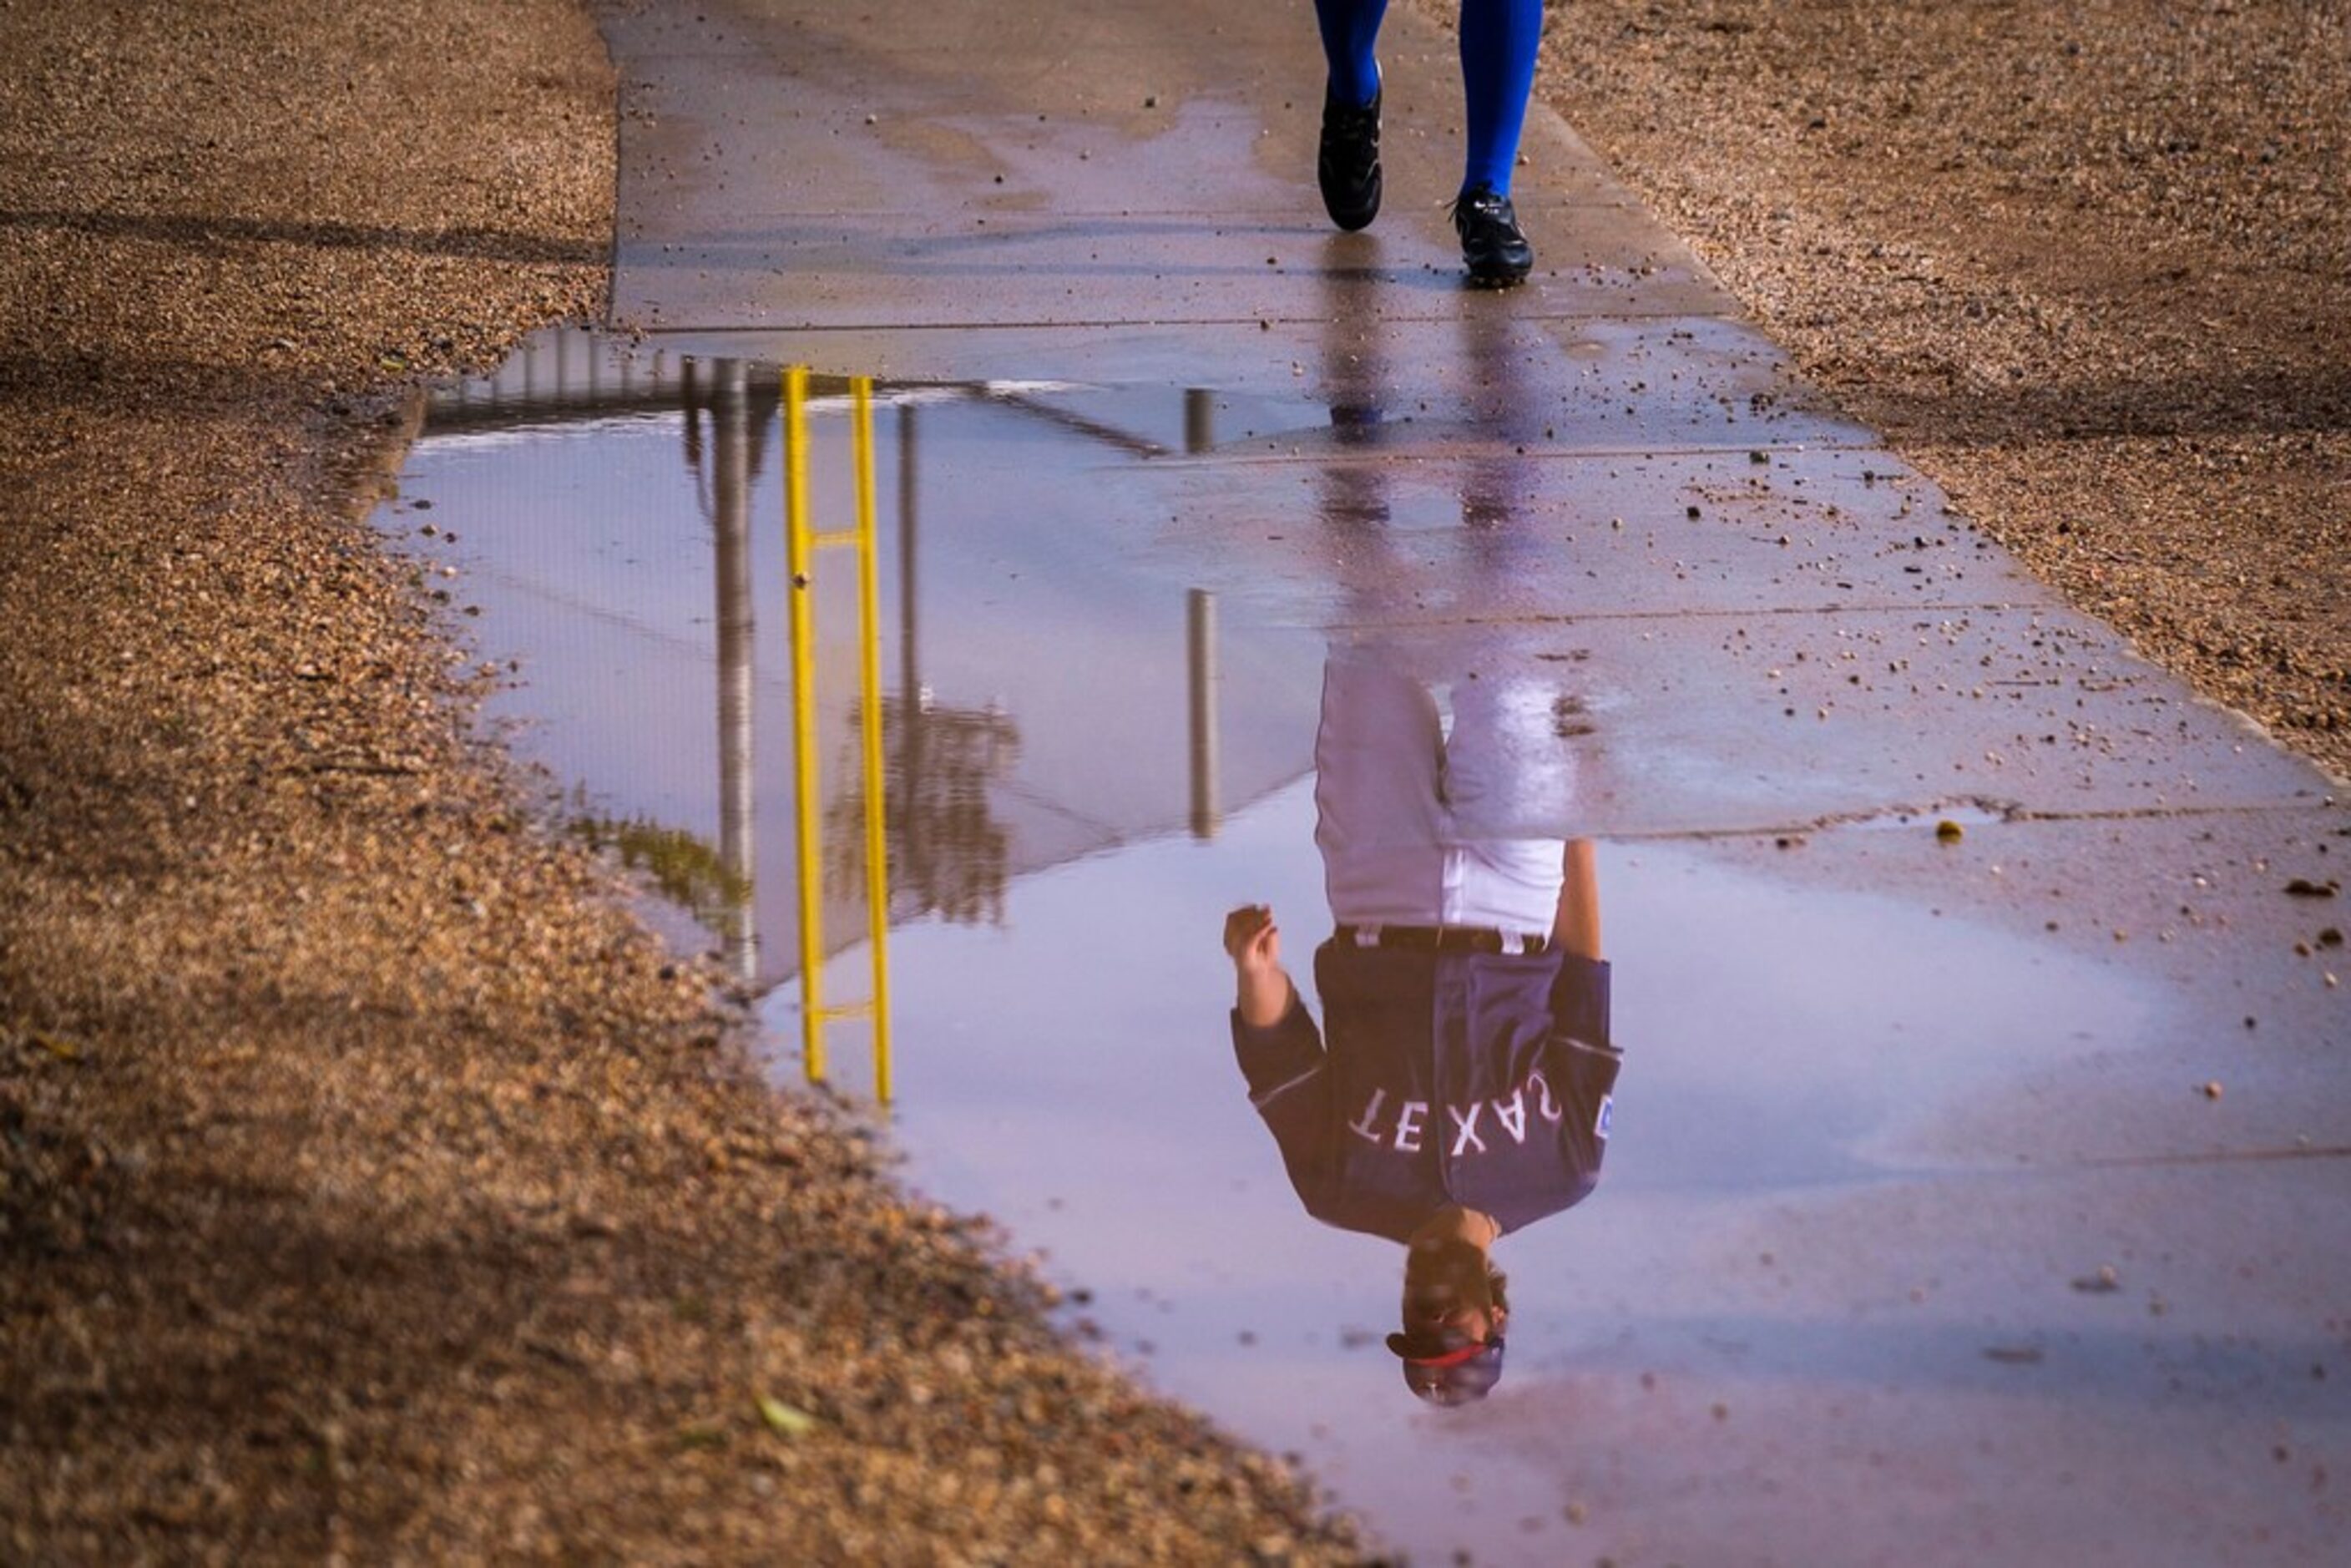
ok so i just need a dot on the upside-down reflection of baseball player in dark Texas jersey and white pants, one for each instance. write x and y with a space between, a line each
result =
1463 1080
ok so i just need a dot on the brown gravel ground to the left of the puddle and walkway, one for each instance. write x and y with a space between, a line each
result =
370 1186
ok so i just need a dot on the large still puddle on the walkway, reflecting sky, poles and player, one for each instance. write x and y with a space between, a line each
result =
1087 768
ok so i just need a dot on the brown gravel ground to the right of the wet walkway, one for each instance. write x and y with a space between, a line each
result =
2089 267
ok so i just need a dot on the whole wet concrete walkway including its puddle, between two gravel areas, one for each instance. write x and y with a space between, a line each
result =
1974 1179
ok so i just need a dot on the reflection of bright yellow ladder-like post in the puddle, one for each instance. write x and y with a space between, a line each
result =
803 544
